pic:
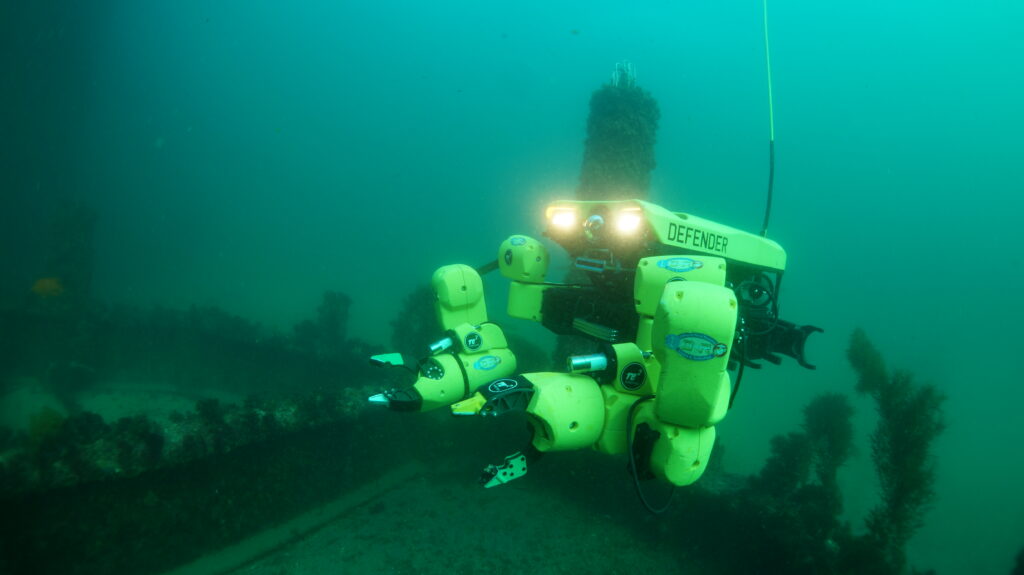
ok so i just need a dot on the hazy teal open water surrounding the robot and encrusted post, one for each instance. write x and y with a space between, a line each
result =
251 155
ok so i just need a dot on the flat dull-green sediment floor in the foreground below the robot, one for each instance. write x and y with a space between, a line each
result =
439 521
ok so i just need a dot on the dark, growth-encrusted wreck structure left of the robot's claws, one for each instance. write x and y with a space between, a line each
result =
179 431
